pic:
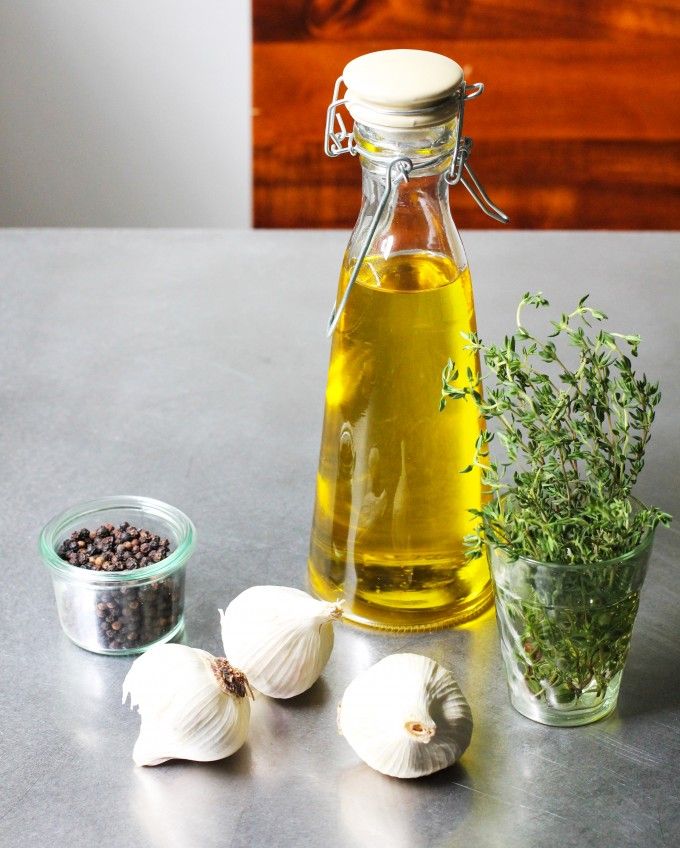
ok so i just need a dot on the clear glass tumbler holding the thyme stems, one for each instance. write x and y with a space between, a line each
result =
565 632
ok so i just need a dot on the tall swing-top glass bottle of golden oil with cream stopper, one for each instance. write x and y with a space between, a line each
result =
392 506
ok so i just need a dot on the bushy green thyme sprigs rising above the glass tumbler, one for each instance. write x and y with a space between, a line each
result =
574 438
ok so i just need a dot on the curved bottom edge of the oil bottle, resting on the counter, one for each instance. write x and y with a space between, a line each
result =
378 617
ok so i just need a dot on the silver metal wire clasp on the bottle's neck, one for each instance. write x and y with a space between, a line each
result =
339 140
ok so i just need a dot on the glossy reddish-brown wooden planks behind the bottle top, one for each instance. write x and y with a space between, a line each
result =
579 126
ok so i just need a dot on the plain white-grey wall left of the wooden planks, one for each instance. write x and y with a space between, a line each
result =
125 113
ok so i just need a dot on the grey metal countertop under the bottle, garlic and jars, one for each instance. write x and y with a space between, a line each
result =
190 366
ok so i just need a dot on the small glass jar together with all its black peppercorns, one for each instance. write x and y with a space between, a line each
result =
118 569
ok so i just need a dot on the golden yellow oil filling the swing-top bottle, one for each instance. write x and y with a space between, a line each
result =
391 504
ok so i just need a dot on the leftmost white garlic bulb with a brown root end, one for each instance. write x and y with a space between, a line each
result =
193 706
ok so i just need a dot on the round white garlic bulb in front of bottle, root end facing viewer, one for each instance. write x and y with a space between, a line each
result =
406 716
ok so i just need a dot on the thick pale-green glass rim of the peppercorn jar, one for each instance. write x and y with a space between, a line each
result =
173 517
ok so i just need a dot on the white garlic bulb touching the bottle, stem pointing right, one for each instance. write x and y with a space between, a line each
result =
280 637
